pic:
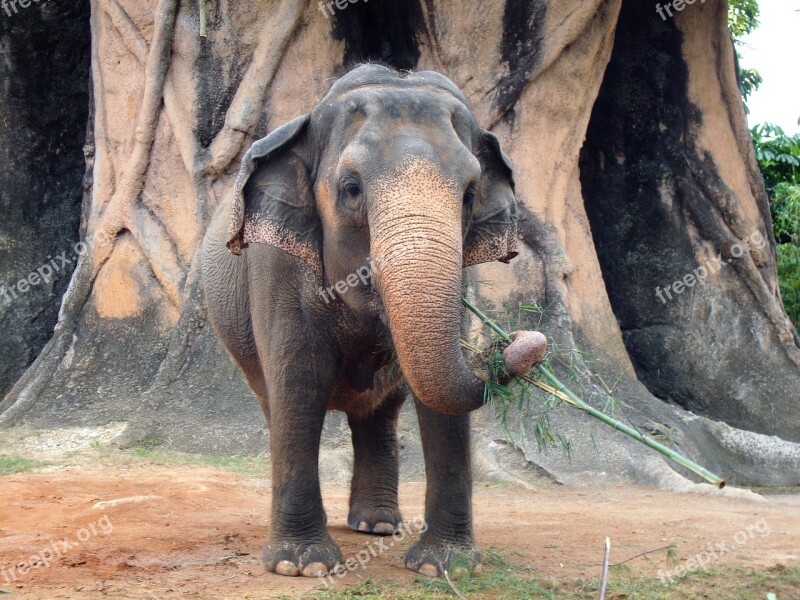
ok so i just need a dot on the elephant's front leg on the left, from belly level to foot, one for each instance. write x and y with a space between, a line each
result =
299 543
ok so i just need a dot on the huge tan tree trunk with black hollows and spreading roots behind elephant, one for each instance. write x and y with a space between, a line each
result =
633 162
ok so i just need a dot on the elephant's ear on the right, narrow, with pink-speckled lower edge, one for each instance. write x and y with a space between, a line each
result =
492 234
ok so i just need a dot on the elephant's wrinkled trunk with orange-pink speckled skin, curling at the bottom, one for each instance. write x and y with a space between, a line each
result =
416 246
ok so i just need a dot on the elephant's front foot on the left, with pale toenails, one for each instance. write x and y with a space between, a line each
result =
309 559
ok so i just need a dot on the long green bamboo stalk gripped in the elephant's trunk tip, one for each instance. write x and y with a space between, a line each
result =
561 391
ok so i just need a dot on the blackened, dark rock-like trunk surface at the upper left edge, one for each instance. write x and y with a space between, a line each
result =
44 69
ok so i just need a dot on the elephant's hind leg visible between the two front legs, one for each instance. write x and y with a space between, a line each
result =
373 491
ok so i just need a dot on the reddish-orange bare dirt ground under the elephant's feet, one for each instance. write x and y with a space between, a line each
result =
147 530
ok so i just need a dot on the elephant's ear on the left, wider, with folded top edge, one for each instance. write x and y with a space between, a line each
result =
273 201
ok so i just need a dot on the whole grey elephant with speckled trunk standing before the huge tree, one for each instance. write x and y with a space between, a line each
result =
333 275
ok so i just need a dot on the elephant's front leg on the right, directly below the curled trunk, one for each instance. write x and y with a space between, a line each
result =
447 544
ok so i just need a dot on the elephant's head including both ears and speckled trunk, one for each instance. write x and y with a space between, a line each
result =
393 168
